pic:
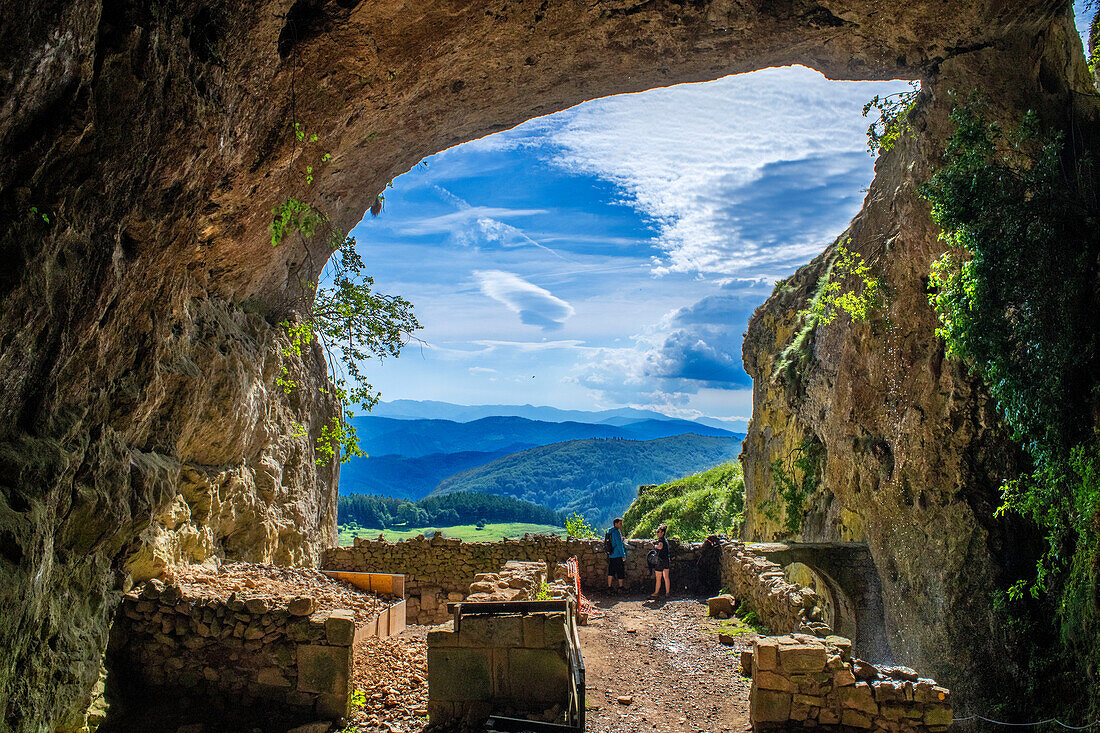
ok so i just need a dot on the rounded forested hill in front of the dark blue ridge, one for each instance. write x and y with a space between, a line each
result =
598 478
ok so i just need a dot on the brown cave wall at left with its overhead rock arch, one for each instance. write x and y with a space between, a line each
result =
140 341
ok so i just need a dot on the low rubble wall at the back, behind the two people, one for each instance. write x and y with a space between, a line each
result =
441 570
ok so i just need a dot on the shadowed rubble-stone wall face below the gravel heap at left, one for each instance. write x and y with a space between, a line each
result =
282 655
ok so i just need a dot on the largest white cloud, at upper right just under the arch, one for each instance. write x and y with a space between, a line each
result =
747 172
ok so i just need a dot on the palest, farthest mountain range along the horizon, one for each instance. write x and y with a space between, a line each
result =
432 410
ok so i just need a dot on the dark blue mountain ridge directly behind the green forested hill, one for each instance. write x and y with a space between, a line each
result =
411 457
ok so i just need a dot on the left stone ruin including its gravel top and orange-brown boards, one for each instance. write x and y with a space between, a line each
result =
274 652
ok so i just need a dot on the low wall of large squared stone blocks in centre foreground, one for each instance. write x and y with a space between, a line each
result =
513 665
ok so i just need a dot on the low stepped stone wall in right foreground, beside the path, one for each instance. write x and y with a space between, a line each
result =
805 682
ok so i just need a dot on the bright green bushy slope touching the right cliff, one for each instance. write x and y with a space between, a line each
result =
694 508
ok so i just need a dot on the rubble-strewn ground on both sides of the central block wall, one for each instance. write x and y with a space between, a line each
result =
662 658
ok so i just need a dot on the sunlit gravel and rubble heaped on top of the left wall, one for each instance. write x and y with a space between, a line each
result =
277 585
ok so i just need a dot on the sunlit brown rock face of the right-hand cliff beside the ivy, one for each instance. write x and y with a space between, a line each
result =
915 453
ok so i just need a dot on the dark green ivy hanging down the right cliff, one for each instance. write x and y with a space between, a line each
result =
1018 299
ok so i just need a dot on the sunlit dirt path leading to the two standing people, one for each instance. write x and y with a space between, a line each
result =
666 657
